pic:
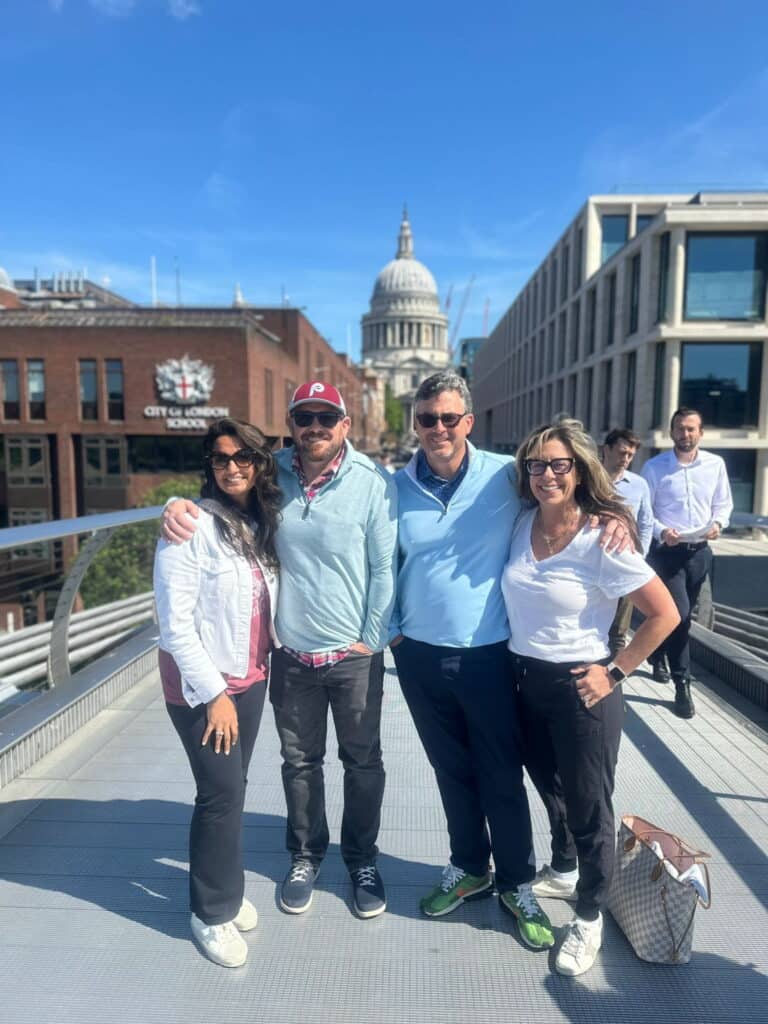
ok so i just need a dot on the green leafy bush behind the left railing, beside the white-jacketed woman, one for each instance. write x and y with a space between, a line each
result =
123 569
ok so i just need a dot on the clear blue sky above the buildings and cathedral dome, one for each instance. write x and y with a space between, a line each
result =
274 145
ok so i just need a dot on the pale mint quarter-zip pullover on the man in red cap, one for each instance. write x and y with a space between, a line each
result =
337 558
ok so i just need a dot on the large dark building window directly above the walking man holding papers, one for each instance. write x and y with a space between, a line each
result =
722 382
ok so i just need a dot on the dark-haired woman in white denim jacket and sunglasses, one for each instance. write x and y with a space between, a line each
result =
217 599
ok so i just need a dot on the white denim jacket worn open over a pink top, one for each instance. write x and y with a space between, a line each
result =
204 601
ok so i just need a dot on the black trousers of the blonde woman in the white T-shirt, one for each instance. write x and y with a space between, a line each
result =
571 753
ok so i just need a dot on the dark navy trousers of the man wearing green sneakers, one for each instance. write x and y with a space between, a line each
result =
465 712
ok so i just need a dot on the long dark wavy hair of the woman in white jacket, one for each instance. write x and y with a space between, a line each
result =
249 532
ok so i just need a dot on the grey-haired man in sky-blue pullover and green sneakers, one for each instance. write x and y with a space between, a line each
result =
457 509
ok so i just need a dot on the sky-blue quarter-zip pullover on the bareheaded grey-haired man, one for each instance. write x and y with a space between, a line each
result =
451 560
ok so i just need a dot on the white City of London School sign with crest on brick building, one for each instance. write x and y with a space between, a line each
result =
185 385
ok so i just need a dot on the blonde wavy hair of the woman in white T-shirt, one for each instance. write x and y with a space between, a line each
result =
595 494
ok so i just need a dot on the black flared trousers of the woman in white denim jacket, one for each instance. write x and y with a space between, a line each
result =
217 878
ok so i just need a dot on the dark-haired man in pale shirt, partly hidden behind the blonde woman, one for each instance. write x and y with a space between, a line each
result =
620 448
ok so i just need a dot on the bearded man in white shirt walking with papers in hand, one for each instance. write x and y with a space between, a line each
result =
693 504
